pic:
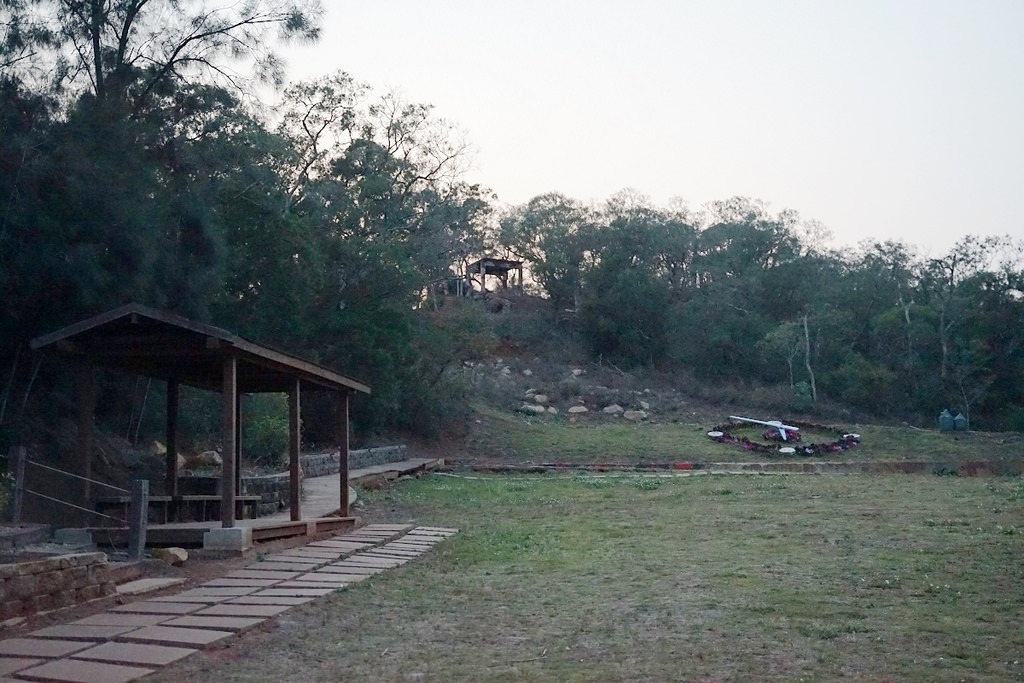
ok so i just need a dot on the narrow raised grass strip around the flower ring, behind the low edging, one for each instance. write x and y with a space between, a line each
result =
513 438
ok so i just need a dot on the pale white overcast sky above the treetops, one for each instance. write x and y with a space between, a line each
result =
883 119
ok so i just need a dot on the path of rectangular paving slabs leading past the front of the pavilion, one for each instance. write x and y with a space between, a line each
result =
132 641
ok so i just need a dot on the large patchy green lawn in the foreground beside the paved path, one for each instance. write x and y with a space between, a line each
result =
714 578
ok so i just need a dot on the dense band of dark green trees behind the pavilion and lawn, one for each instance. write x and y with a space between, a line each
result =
137 165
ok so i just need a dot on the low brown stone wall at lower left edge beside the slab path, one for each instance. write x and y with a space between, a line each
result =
27 588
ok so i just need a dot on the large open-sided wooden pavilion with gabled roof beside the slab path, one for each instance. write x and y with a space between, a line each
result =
182 352
